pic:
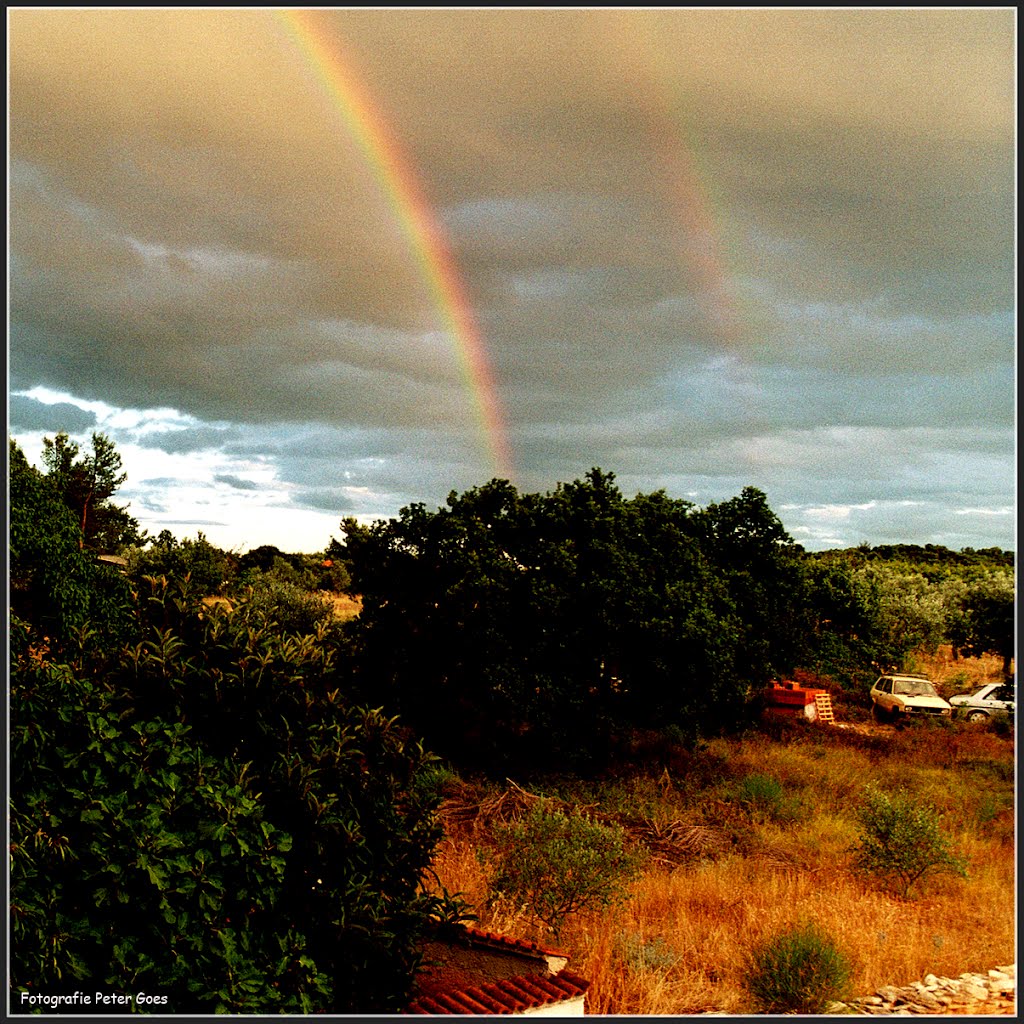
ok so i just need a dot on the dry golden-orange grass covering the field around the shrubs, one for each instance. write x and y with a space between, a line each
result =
680 944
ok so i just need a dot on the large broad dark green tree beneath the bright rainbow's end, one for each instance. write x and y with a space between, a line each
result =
508 627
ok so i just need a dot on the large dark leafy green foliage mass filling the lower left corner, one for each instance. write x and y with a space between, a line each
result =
201 814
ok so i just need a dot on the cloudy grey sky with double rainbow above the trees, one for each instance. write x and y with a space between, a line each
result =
304 266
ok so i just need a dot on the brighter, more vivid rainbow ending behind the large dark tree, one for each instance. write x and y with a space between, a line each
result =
414 216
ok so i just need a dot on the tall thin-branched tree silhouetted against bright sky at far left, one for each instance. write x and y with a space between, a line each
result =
87 486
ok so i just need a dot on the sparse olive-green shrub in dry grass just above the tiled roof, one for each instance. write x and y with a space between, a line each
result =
558 865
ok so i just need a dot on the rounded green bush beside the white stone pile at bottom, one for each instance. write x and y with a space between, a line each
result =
799 971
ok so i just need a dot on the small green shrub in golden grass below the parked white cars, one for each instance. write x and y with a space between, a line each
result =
902 841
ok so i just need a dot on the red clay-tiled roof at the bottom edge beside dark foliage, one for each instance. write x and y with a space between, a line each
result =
478 972
